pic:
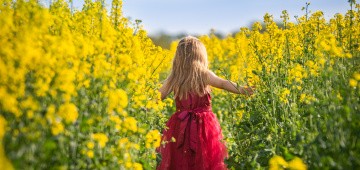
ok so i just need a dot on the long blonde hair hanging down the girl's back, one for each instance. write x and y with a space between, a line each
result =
189 70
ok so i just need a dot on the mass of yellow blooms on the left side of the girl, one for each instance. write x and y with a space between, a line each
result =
75 82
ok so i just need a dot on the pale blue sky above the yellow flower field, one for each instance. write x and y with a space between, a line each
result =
224 16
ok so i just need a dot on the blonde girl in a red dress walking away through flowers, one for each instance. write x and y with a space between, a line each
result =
194 126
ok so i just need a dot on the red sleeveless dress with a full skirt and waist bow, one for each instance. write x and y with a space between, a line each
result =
197 136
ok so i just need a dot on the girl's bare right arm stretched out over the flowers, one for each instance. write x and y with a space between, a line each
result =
230 86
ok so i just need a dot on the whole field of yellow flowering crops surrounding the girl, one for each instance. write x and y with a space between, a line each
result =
79 90
